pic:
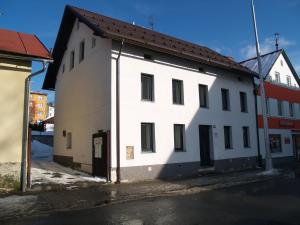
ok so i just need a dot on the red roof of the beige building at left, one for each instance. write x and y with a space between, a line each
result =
17 43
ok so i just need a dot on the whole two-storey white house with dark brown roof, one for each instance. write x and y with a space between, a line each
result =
181 108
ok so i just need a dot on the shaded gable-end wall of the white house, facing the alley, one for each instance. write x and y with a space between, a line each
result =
83 96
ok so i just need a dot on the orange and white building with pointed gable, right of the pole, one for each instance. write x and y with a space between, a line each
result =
283 106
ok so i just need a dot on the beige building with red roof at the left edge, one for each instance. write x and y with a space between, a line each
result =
17 51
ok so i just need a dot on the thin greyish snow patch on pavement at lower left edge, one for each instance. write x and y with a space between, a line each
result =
14 204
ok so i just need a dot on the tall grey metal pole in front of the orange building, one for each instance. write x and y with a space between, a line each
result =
269 162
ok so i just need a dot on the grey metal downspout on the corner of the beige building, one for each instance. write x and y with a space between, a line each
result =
26 124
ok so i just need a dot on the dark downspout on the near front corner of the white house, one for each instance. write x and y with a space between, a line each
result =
118 112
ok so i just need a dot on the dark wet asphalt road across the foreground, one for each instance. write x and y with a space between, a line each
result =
274 202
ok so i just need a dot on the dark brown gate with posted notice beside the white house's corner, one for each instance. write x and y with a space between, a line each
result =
100 151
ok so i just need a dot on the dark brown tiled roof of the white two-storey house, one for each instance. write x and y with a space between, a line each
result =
136 35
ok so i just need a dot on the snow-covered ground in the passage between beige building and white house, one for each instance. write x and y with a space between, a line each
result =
45 171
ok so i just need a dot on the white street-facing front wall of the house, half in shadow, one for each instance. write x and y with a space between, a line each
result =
165 114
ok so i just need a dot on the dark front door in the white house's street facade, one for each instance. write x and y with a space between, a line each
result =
204 136
